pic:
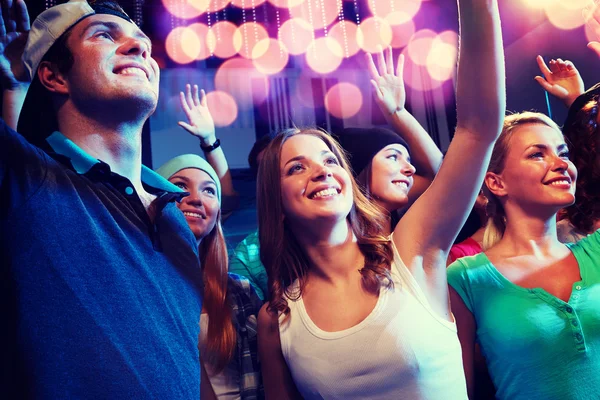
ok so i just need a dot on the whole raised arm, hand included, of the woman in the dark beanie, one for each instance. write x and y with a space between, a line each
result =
390 96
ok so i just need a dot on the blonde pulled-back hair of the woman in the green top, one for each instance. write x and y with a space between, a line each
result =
496 223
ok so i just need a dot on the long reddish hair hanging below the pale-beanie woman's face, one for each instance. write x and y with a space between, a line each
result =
221 337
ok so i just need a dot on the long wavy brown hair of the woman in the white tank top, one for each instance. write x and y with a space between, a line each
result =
281 254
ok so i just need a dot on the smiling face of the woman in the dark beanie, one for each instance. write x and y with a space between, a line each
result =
391 177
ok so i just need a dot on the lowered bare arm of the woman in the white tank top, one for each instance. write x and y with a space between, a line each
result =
277 379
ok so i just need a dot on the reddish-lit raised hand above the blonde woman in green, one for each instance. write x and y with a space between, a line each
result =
561 79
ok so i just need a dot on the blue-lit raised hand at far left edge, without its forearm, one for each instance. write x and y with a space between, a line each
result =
14 29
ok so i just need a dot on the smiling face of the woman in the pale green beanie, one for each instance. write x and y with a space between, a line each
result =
201 207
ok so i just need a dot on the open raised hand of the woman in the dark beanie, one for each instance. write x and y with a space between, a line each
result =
387 84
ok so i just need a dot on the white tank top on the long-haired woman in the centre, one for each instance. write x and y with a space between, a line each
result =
402 350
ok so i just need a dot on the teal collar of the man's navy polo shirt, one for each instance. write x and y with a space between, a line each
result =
82 162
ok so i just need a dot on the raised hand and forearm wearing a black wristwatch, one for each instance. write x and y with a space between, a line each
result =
201 125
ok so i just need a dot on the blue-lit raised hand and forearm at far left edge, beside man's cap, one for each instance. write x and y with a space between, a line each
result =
14 29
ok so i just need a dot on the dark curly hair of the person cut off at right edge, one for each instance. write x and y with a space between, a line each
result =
583 135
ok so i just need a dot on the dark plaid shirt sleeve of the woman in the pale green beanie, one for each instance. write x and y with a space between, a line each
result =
246 304
